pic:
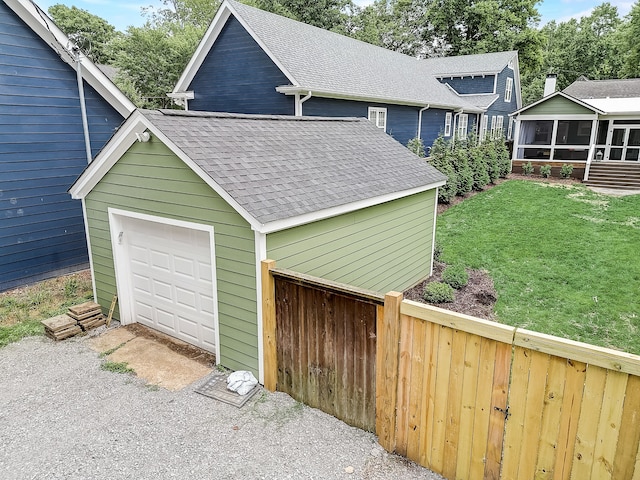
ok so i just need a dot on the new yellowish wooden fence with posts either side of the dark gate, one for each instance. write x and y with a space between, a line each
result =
469 398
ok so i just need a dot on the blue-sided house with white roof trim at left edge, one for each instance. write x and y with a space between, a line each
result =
43 146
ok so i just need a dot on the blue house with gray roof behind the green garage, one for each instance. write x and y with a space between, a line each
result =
252 61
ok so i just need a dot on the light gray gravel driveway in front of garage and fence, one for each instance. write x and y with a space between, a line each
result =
61 416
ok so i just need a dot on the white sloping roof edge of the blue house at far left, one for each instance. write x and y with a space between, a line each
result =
46 29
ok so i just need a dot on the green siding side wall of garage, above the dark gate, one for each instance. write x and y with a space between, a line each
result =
381 248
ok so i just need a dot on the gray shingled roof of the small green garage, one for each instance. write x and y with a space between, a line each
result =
280 167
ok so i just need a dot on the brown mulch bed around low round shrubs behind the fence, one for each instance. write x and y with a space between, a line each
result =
477 298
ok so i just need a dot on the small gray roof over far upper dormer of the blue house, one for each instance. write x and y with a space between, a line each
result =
465 65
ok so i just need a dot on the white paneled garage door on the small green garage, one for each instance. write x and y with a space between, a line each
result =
170 279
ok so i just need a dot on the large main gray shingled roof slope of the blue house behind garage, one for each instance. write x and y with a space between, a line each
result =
320 60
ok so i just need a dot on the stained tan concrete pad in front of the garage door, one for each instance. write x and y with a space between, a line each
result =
158 364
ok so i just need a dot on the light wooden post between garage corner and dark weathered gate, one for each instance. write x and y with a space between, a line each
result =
269 326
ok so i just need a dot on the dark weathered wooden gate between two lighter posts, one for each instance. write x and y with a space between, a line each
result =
326 348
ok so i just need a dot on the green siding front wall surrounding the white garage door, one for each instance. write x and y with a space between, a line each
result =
150 179
